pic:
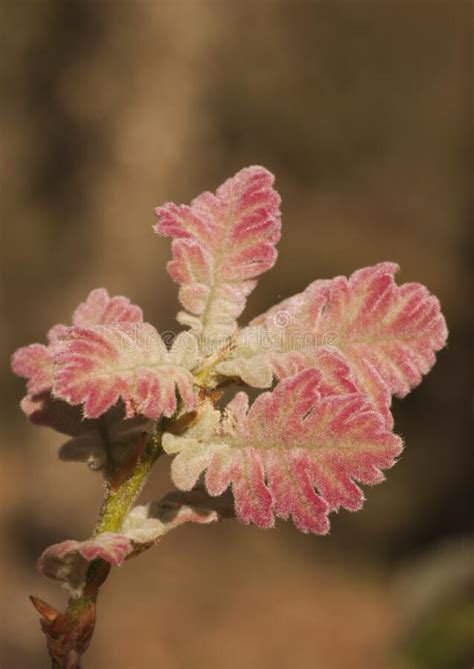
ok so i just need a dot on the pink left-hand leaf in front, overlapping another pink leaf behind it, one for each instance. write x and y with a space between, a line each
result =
96 366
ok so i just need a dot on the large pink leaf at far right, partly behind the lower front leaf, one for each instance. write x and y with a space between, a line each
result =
386 334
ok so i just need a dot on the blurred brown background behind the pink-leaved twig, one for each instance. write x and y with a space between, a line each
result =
363 111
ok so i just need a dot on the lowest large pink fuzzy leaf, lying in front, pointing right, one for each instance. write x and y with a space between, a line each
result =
295 452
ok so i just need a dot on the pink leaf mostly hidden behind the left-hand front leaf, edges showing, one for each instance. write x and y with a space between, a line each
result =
36 361
